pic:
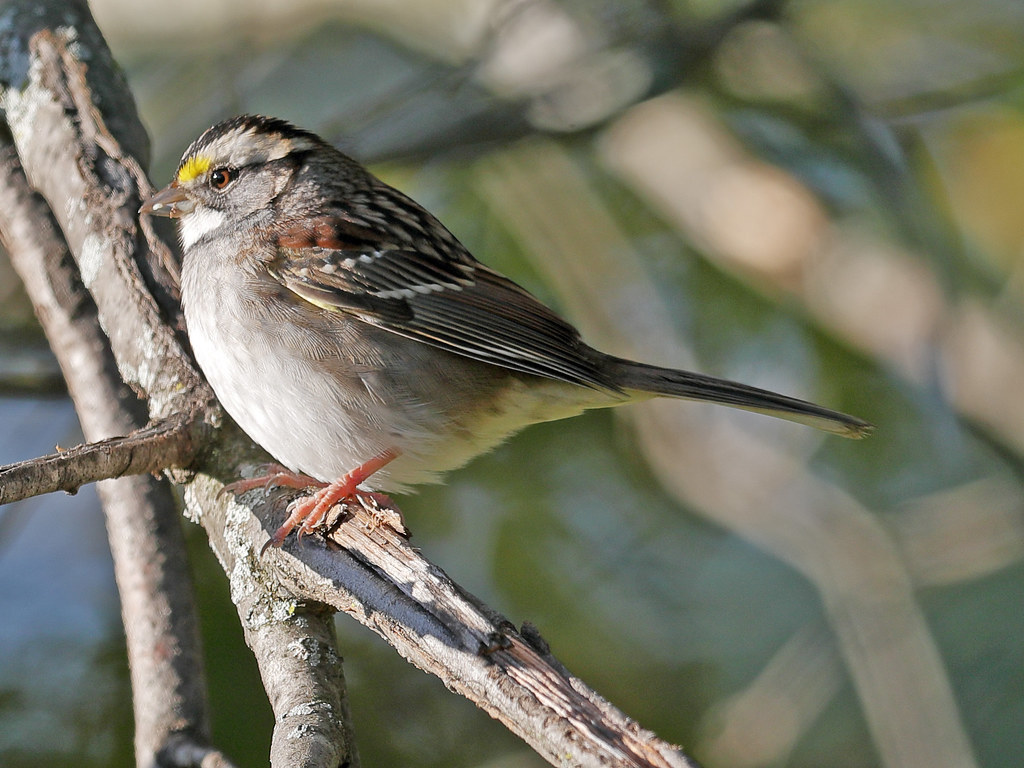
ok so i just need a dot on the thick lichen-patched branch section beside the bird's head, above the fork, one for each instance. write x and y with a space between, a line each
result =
95 186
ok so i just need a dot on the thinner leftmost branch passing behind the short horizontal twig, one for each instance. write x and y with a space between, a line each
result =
145 530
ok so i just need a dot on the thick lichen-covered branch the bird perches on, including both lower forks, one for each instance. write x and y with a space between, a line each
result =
86 170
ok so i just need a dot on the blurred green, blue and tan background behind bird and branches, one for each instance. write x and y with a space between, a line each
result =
823 198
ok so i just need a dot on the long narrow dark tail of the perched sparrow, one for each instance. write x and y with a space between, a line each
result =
672 383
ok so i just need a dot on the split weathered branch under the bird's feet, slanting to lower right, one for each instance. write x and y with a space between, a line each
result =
373 574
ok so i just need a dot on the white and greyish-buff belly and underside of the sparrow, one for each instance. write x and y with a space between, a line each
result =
327 417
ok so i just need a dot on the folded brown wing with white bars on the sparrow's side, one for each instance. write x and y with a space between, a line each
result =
448 300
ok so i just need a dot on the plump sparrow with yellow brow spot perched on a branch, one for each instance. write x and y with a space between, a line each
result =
352 335
